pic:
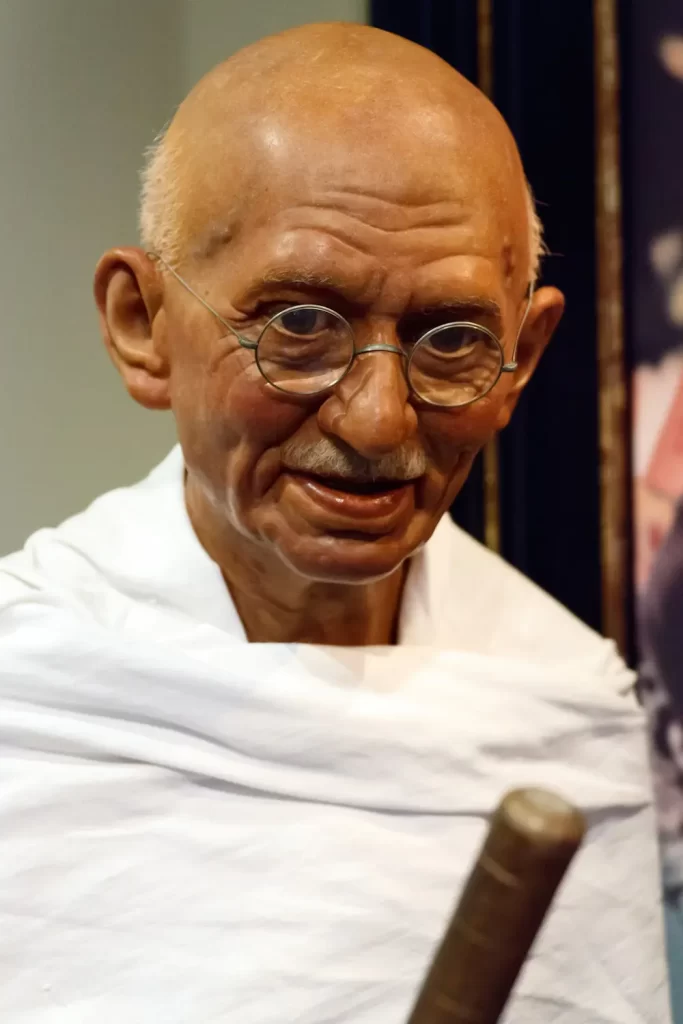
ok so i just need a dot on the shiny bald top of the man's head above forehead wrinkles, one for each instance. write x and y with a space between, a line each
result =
329 107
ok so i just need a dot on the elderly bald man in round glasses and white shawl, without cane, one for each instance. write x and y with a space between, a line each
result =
257 710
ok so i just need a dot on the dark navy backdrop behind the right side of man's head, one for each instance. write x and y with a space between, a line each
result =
543 86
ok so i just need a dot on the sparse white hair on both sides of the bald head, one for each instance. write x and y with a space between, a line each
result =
161 204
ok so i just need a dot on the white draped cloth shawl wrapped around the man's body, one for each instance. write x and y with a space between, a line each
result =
196 829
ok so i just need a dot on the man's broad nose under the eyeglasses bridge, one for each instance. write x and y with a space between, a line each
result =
370 410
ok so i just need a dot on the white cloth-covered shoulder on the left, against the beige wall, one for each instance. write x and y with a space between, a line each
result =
132 552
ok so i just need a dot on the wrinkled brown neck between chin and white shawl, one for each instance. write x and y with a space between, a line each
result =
277 606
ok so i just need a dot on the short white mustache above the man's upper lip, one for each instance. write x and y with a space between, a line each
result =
327 458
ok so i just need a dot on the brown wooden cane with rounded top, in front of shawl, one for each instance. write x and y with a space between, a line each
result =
533 837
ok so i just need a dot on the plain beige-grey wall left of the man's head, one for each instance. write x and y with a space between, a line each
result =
84 88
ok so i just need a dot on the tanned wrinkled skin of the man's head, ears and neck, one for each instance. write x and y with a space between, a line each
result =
337 165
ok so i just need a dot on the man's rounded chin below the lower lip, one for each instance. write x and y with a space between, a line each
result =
347 561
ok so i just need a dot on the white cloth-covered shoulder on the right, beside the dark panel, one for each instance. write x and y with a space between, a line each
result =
479 603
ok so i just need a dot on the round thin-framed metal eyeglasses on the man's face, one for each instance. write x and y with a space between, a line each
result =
308 350
